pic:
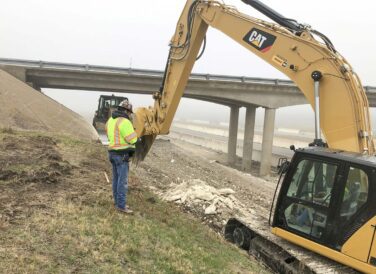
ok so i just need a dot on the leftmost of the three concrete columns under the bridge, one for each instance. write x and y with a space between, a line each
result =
233 135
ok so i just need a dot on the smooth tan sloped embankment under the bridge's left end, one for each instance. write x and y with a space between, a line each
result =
22 107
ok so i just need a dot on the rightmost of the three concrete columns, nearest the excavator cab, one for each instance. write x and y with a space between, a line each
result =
267 141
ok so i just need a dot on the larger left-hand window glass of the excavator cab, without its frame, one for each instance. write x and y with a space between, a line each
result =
309 194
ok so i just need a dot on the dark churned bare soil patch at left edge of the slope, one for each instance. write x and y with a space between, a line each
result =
27 164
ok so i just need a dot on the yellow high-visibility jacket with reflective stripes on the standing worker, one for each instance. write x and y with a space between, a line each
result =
121 134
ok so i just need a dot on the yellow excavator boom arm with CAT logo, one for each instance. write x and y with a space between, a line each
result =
292 49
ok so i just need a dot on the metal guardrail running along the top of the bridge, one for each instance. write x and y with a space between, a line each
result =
133 71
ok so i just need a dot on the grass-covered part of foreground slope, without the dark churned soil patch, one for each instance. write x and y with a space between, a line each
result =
79 231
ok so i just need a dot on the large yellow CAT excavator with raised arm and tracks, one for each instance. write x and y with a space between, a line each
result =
326 199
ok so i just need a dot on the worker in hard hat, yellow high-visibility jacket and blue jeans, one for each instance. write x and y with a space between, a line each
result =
122 139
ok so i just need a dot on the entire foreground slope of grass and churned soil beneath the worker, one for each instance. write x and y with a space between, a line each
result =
57 216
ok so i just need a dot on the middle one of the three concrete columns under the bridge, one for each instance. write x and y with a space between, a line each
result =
249 132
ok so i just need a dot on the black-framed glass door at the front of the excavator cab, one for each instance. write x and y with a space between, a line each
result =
304 207
